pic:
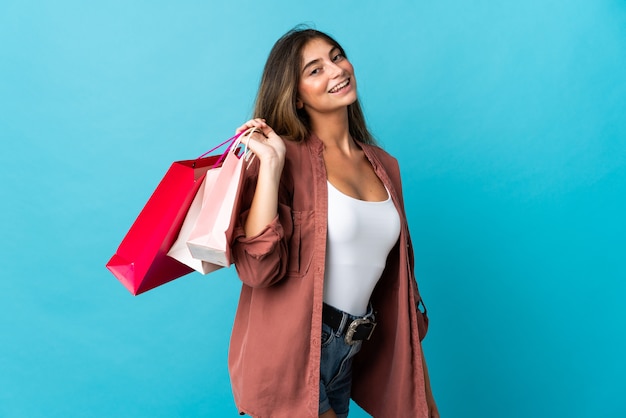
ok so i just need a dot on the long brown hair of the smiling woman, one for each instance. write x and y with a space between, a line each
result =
276 98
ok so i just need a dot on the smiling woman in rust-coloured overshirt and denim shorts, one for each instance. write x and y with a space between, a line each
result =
323 250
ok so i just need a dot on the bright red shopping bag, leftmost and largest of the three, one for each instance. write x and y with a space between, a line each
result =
141 262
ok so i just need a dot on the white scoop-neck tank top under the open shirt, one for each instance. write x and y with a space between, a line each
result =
360 236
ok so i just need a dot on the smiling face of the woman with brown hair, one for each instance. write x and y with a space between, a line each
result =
327 83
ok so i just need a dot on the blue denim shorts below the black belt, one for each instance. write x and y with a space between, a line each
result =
336 368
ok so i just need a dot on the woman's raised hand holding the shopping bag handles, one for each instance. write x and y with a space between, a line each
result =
264 143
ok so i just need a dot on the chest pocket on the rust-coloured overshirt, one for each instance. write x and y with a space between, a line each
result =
301 244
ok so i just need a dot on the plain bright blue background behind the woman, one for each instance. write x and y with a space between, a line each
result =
508 119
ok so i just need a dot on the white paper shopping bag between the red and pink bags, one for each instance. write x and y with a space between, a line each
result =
179 250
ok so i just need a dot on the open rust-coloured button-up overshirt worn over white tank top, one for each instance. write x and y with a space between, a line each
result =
274 353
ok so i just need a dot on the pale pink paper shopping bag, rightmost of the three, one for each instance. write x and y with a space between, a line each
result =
210 238
